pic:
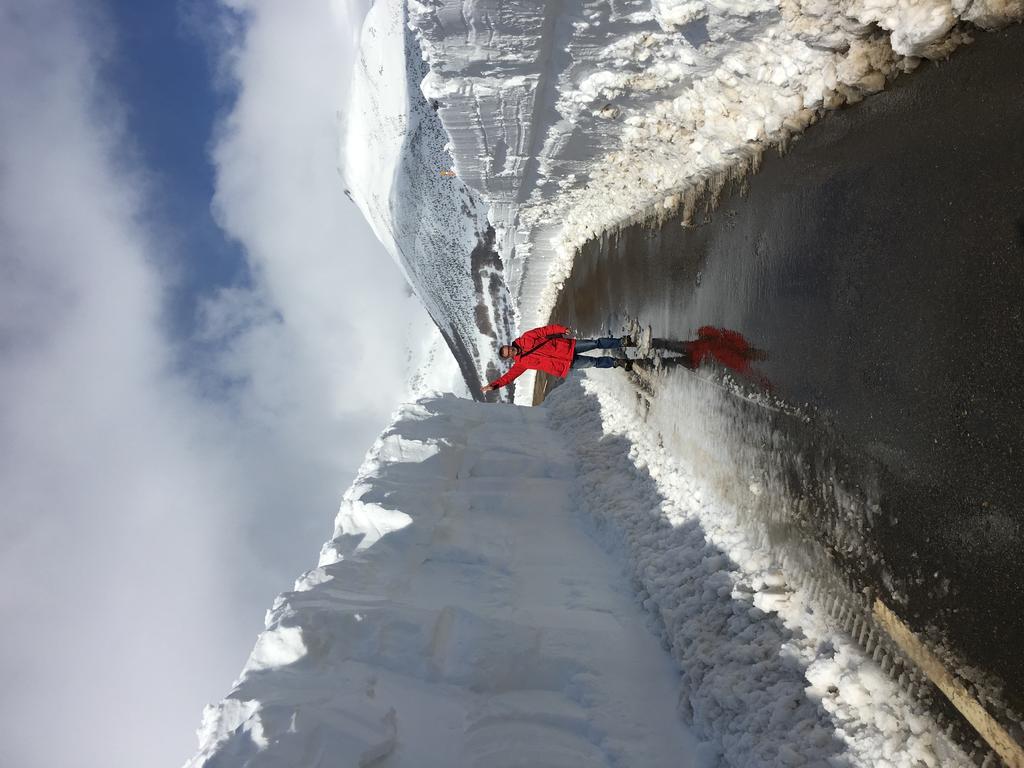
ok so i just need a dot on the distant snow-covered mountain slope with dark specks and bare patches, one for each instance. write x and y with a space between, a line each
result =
396 167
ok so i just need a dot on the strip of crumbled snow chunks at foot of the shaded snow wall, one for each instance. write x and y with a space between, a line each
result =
767 675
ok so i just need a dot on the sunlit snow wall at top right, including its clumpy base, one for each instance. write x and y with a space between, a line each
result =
573 117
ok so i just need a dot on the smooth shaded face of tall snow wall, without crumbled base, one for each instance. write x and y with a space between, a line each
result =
460 616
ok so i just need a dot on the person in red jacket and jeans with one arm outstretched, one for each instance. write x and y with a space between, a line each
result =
550 351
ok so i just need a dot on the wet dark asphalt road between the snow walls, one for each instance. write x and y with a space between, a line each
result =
881 263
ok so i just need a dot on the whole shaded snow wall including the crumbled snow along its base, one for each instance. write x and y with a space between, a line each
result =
478 607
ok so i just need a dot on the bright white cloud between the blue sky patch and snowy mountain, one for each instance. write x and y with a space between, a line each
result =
327 361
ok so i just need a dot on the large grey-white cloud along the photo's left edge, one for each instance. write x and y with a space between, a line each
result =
114 520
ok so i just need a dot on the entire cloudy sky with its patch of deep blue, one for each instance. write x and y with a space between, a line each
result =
199 340
